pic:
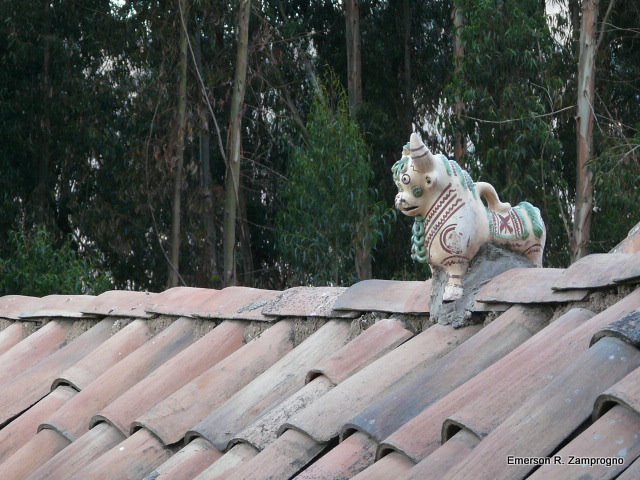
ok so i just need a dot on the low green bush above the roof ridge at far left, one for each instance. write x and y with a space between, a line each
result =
37 266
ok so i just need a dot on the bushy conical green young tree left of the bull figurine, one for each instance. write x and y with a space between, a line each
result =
328 210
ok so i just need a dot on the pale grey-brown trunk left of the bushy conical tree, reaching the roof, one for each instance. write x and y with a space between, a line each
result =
232 181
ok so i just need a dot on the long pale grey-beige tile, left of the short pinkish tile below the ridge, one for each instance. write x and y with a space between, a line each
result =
281 380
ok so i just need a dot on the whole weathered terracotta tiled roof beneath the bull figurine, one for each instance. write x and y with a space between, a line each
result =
329 383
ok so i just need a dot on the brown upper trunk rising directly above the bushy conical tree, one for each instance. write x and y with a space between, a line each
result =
354 54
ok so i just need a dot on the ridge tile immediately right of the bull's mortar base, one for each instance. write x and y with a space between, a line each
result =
528 285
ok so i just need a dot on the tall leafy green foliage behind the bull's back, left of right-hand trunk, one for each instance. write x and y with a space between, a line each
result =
508 86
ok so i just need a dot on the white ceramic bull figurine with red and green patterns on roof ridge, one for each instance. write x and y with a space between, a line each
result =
451 220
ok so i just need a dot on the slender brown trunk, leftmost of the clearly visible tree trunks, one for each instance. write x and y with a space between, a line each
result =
181 121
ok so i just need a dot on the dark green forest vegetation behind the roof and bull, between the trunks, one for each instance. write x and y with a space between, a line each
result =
87 140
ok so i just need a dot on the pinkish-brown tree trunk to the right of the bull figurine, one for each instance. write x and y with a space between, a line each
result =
584 128
